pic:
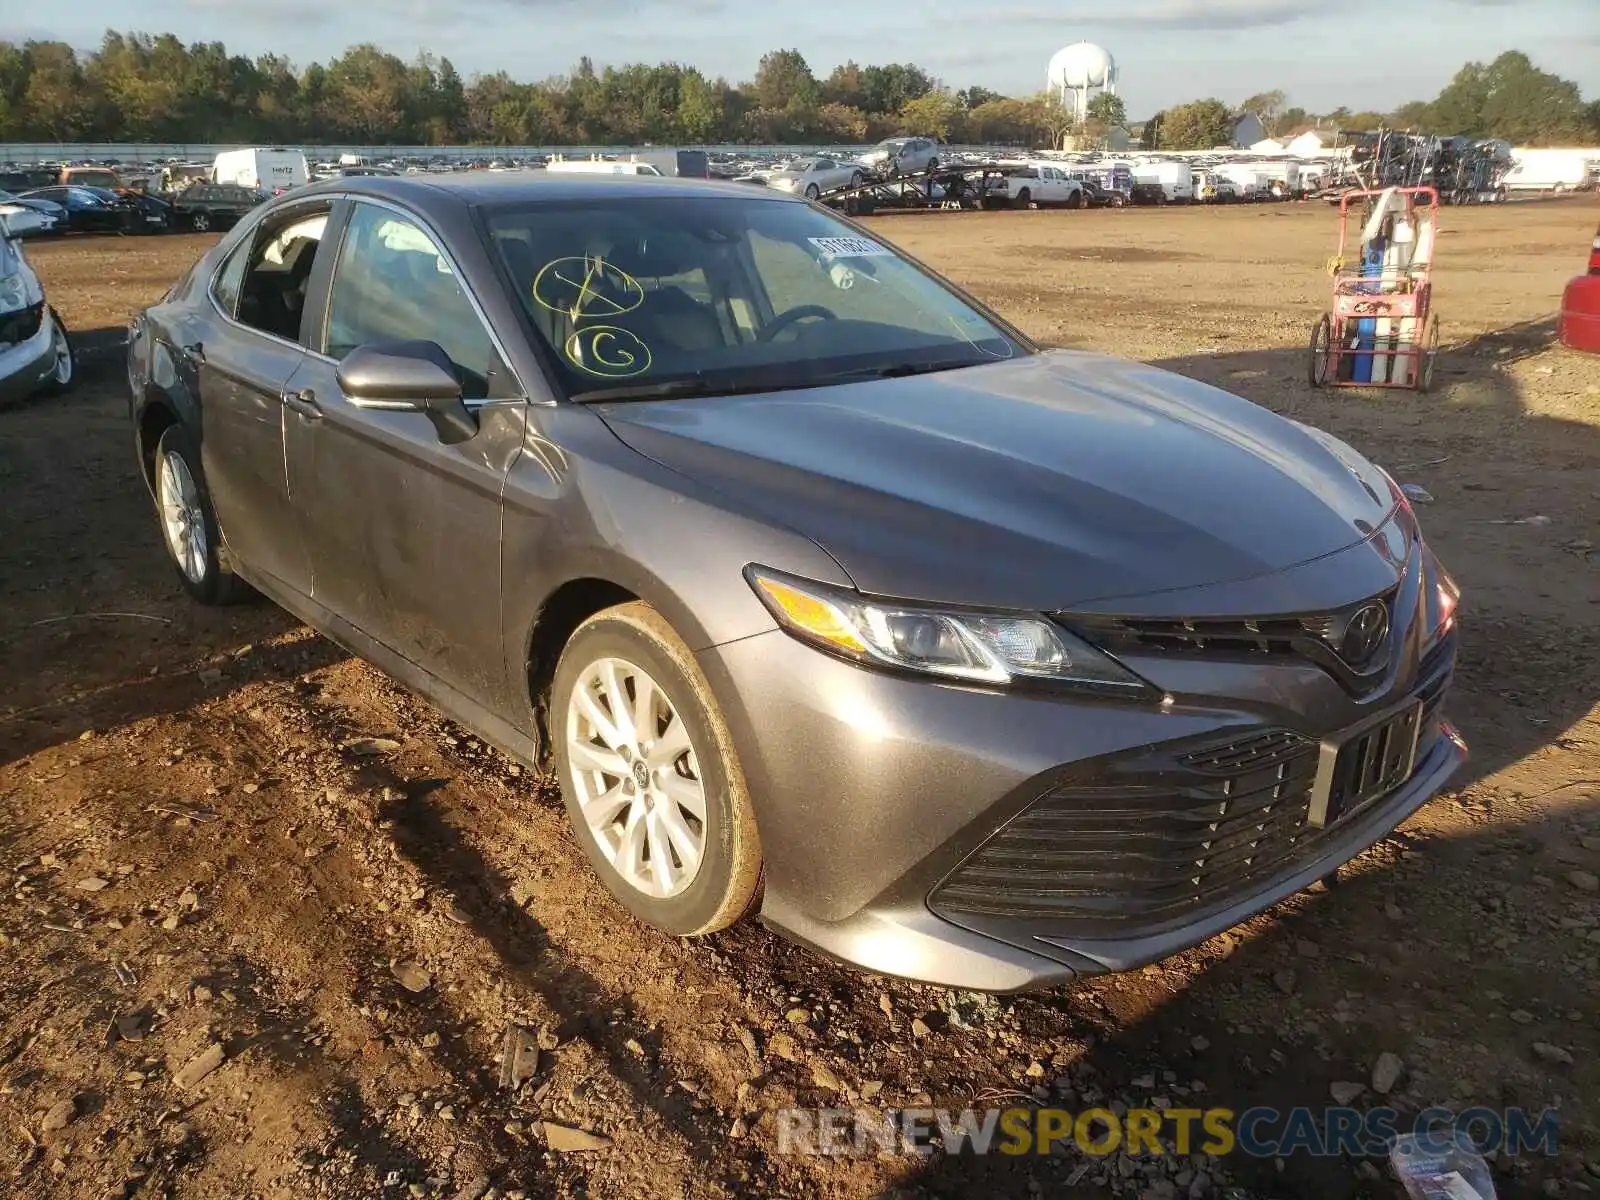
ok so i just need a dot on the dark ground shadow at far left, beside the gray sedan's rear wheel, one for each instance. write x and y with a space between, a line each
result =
95 630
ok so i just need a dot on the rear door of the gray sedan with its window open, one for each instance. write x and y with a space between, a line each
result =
247 356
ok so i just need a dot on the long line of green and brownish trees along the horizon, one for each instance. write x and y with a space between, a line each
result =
156 89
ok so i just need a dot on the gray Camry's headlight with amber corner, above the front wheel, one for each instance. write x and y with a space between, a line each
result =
951 644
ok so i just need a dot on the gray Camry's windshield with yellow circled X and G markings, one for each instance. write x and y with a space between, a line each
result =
727 294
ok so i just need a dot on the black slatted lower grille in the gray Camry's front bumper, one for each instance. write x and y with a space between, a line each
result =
1135 844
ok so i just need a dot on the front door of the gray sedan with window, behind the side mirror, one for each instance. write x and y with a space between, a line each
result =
404 532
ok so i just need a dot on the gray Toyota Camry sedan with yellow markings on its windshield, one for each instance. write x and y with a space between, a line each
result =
825 593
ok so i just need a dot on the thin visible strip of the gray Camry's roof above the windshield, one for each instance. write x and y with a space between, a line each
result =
534 186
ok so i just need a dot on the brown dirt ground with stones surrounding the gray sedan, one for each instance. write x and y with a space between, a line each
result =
206 860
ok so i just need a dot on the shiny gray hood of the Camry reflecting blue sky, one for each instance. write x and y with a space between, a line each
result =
1044 482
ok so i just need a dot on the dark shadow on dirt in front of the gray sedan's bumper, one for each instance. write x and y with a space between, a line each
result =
1327 988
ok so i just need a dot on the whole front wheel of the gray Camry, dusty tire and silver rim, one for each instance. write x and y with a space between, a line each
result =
622 647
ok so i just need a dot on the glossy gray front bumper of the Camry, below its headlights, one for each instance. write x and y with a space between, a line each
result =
874 793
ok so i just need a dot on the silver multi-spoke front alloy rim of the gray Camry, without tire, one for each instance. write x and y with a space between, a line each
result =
636 778
